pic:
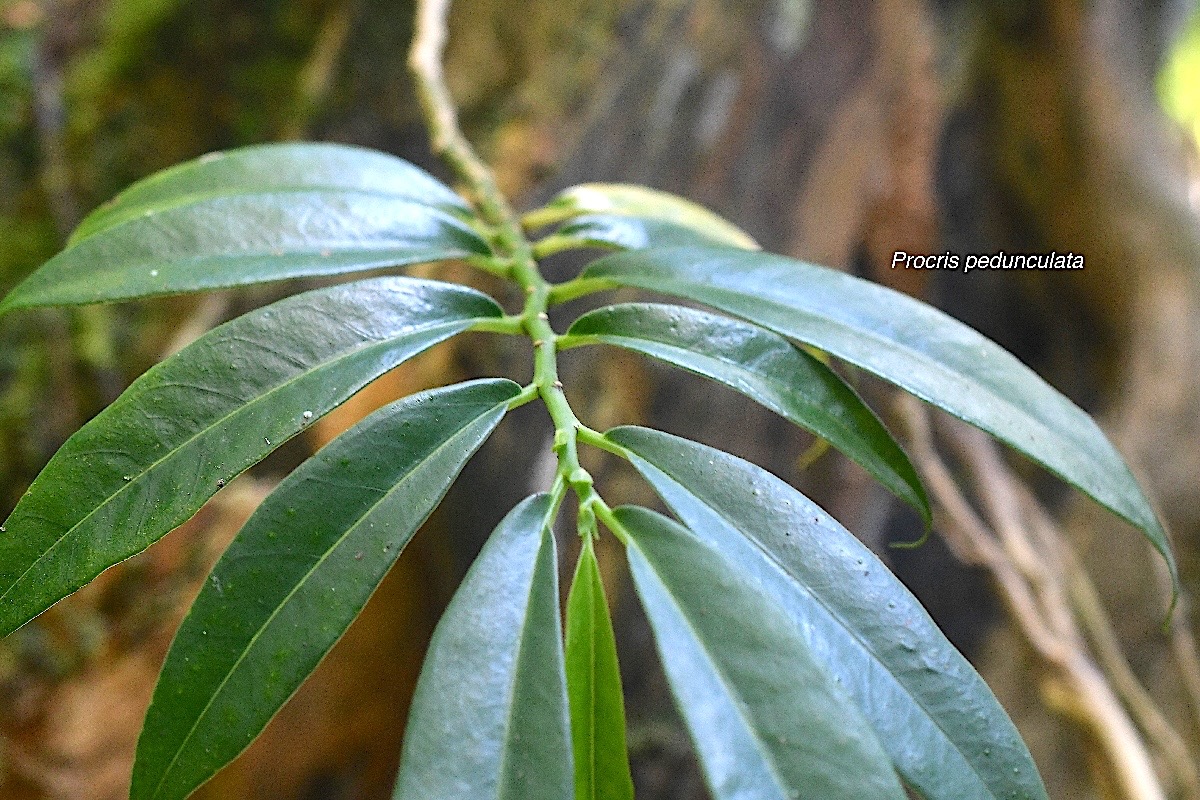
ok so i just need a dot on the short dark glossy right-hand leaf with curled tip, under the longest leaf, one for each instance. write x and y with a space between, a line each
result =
765 368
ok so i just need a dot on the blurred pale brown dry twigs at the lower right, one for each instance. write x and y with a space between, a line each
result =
1053 603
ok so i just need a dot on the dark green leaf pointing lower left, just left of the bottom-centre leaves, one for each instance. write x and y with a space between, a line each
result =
297 576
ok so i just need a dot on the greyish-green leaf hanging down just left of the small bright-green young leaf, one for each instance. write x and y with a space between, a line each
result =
490 714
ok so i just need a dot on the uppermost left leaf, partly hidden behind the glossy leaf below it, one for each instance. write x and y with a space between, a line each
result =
267 169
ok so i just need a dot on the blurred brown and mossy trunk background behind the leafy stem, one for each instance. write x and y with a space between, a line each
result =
832 130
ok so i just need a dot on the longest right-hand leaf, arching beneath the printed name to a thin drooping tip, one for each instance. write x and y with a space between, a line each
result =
904 341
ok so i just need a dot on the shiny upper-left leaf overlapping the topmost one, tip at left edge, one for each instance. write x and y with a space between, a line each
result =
243 239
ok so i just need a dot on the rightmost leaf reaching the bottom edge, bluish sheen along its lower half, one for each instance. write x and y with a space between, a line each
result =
937 718
